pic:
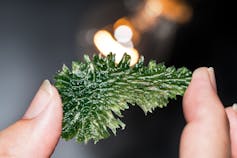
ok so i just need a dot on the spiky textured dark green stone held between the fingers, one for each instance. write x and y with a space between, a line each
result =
95 92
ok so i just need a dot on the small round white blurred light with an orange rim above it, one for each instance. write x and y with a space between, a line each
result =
123 34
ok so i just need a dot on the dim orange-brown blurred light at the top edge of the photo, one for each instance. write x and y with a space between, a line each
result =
148 15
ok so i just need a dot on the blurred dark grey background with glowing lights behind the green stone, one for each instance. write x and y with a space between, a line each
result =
37 37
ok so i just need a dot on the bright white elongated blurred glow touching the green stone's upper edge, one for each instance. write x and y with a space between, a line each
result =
107 44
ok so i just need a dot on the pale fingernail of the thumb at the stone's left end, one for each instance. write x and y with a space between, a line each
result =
40 100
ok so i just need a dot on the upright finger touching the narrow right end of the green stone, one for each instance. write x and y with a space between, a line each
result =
207 132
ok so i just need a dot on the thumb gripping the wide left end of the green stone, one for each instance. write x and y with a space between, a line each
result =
37 133
